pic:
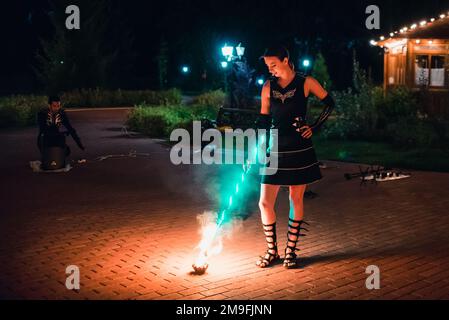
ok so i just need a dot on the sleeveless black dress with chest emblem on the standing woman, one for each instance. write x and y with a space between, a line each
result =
297 161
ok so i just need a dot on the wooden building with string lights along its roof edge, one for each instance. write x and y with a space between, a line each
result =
417 56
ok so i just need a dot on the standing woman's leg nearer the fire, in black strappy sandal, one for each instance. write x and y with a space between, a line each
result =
268 195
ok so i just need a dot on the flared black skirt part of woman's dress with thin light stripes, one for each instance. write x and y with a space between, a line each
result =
297 162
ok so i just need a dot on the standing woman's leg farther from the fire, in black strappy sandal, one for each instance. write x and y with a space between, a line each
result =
296 217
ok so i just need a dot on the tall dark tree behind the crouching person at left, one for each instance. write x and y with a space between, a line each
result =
75 59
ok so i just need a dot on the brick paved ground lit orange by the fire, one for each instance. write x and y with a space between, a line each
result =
130 225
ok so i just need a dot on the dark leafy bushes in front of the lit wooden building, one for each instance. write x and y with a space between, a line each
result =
394 118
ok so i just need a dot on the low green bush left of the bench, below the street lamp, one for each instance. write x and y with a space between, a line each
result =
160 121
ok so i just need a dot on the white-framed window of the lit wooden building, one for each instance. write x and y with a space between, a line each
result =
430 70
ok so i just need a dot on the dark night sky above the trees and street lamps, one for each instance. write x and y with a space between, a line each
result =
195 30
